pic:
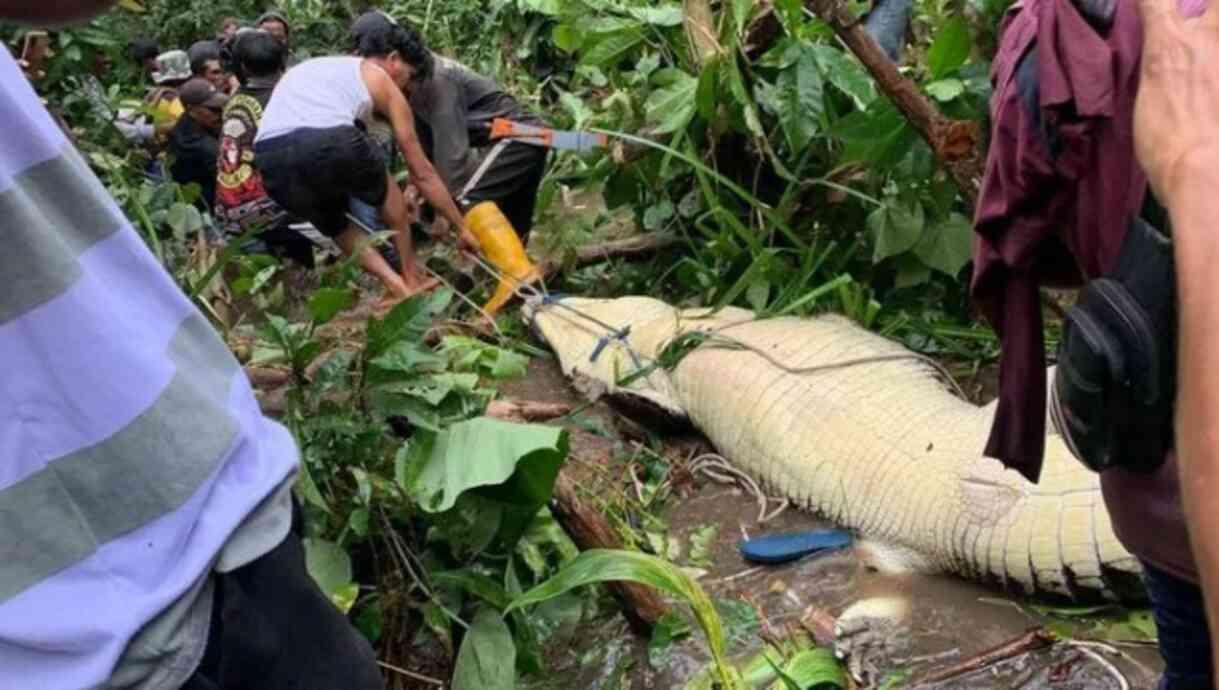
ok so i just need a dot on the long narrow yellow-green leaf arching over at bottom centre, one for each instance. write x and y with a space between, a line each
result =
605 566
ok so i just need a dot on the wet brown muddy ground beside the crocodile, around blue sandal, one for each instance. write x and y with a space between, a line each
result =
953 621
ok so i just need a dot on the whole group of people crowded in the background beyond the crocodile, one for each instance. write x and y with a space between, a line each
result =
274 142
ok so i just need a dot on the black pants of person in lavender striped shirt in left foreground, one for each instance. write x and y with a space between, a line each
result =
274 630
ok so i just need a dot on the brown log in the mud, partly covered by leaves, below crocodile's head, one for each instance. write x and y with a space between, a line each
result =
589 530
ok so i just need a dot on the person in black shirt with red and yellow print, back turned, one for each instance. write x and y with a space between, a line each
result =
242 201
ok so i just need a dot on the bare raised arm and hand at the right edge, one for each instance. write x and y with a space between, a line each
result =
1177 137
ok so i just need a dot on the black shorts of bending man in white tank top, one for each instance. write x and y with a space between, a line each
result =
315 174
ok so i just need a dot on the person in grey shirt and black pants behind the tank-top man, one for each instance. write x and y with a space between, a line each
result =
454 109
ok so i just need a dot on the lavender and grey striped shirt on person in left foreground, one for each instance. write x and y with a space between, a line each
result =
135 460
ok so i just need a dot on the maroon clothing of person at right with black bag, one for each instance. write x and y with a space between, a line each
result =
1060 190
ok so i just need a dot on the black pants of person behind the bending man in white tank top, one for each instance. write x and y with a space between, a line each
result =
513 183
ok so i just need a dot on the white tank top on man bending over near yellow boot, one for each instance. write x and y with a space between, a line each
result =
325 92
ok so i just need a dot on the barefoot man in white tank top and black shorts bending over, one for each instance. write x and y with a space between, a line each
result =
315 154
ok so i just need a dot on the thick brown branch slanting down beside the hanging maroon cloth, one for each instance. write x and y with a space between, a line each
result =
958 143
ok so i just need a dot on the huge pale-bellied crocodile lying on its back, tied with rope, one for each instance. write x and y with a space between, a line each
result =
854 427
